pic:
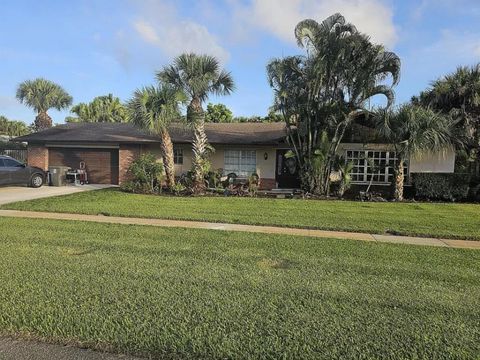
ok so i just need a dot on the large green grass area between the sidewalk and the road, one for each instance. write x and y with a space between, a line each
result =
180 293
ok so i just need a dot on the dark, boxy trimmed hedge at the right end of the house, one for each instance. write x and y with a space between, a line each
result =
450 187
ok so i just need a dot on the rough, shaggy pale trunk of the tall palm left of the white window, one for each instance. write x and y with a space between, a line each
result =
196 116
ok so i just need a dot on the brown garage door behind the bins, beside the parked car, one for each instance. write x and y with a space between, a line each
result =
101 164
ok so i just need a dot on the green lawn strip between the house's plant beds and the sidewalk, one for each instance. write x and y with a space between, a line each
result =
460 221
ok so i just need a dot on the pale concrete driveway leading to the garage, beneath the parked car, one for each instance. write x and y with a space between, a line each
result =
10 194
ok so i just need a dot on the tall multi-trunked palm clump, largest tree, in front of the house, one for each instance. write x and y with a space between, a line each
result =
328 89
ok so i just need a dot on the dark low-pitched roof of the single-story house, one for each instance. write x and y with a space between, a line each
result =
224 133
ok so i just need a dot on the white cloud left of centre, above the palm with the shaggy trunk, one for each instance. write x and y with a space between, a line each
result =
159 25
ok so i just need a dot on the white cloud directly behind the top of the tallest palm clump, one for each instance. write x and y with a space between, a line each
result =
280 17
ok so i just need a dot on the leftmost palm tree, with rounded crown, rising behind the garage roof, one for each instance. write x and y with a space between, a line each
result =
42 95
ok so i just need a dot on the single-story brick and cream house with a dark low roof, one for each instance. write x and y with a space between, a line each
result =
242 148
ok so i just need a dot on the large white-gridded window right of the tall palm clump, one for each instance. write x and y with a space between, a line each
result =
368 164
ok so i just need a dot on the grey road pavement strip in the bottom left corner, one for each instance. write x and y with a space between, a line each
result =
12 349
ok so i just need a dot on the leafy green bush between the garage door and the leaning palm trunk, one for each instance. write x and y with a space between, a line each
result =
145 175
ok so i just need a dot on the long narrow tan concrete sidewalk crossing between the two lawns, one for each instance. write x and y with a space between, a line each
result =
465 244
